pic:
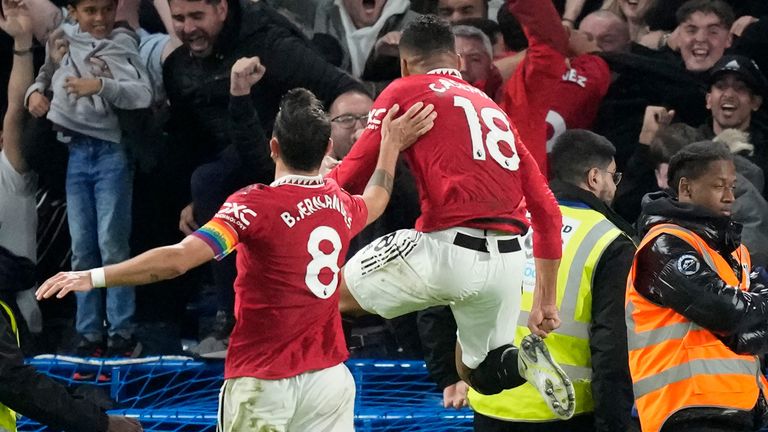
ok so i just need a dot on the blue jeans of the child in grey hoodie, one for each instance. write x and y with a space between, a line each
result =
99 189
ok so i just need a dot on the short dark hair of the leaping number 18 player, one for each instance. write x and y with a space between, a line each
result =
427 35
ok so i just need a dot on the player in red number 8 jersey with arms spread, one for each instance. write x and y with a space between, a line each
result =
283 369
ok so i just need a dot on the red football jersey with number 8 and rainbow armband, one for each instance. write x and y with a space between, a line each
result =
291 240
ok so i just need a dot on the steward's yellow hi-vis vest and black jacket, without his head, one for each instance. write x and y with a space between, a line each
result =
589 345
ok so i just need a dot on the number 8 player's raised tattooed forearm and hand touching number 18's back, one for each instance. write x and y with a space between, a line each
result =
396 136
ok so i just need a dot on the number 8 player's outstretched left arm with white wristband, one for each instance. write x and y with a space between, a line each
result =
154 265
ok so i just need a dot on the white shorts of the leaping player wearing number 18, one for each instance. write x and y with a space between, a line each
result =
406 271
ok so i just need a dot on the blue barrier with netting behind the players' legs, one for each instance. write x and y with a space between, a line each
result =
179 394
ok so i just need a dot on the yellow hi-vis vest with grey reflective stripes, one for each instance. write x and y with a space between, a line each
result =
586 234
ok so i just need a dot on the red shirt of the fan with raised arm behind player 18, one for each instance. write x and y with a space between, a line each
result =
558 85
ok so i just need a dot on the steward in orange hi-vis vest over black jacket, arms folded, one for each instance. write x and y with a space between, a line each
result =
695 319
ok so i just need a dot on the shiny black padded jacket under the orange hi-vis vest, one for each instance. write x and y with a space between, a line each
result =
739 318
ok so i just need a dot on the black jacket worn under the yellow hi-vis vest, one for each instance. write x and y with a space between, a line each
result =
611 382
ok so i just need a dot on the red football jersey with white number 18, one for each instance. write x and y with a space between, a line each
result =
471 169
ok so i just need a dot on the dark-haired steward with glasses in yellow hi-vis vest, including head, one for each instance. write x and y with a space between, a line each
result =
590 344
